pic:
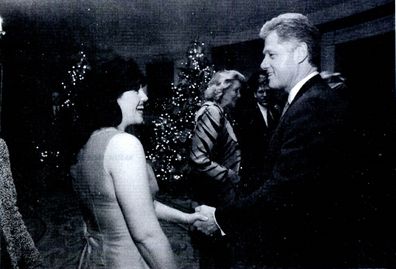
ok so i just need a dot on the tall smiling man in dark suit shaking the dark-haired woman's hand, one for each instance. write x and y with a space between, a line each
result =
302 212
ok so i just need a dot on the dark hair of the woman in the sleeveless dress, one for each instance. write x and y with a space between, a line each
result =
97 101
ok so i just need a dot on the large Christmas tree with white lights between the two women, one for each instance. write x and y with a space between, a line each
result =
173 129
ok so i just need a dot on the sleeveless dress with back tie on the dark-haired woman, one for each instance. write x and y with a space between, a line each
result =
108 242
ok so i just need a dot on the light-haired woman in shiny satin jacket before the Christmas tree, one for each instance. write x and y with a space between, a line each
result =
215 157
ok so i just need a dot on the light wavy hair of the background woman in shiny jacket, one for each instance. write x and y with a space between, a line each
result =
221 81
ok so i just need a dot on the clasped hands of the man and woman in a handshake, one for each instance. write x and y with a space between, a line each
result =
203 220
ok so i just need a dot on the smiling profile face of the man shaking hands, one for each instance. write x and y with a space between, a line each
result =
279 62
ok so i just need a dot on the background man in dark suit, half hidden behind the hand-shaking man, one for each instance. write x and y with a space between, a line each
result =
255 123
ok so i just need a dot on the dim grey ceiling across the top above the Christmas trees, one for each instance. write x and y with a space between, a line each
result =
144 28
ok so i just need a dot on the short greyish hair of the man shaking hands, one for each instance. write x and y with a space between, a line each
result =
295 26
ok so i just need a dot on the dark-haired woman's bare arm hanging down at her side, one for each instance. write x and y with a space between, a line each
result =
126 163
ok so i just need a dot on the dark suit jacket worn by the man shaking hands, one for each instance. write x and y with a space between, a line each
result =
301 213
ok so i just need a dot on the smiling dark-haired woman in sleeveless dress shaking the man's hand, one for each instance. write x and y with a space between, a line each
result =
111 177
